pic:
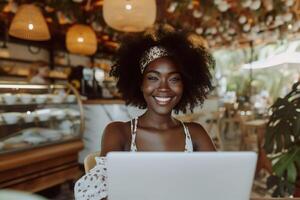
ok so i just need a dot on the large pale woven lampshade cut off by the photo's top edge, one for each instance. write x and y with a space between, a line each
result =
129 15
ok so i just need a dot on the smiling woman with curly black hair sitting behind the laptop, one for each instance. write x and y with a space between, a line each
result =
163 74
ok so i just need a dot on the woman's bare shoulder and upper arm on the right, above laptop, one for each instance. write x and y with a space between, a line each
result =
200 137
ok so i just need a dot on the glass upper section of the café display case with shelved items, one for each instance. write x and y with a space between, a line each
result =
33 116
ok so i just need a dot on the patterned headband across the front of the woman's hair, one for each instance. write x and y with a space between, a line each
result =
152 54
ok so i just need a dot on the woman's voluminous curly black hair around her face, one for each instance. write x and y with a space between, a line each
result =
194 63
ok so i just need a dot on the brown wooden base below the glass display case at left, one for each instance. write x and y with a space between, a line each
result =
40 168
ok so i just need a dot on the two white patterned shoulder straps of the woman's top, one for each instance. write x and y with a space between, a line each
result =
188 139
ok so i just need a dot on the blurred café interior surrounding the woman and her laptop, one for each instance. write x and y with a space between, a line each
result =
56 95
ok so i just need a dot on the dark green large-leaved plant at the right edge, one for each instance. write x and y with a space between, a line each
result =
282 143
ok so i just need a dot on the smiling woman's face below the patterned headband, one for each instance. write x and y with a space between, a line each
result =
162 85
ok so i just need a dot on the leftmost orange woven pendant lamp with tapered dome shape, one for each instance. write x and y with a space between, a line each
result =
29 24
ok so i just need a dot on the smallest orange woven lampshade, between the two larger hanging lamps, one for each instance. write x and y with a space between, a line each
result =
81 39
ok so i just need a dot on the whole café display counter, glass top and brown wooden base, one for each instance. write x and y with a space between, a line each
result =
41 129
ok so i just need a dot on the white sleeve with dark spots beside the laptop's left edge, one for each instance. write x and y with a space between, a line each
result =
93 185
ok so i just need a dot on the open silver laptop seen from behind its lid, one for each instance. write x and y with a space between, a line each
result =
180 176
